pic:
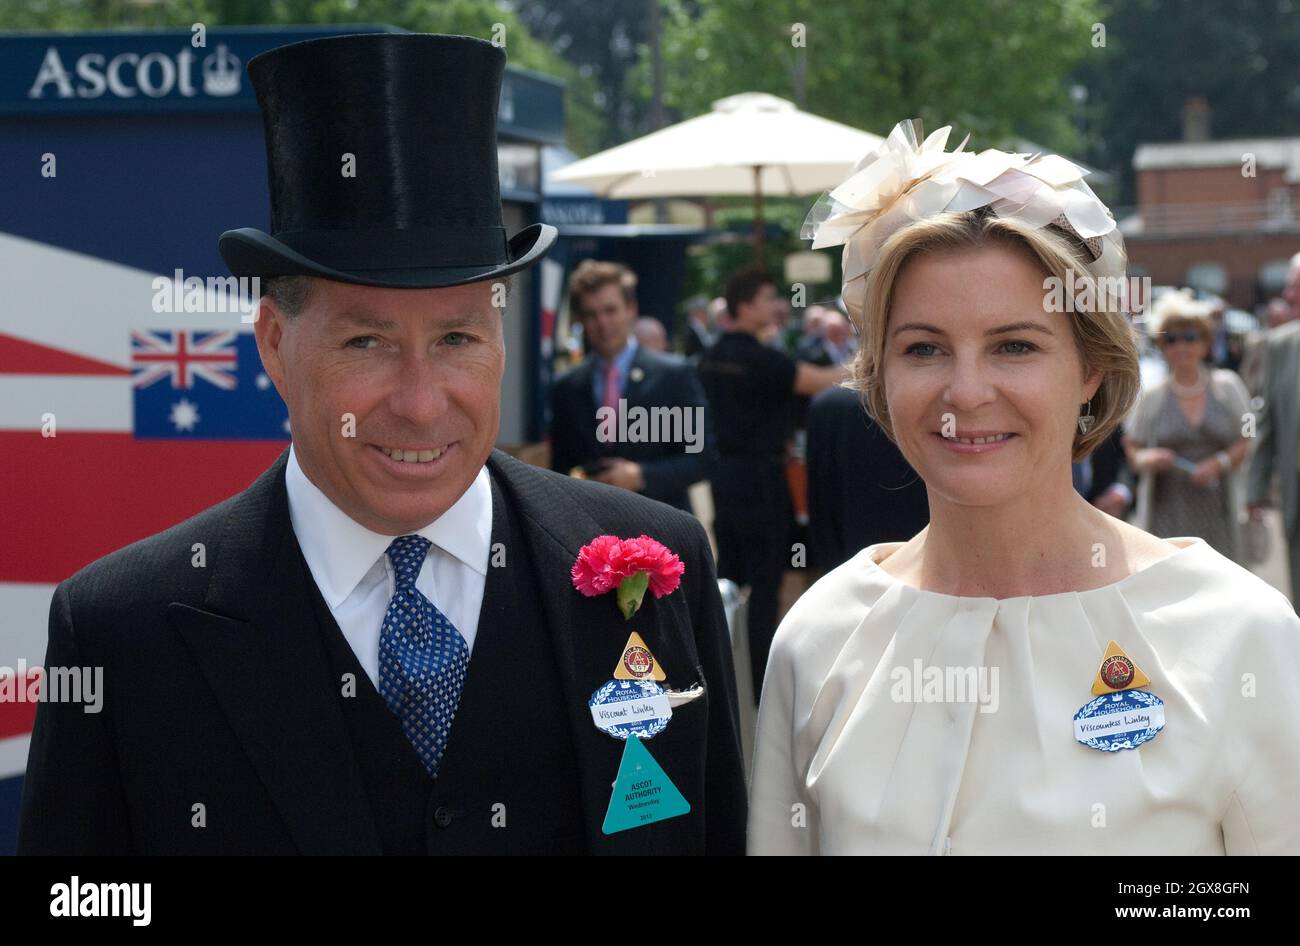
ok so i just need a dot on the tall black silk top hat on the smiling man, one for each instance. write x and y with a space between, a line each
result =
422 206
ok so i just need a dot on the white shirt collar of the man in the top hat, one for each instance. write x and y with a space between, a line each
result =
341 552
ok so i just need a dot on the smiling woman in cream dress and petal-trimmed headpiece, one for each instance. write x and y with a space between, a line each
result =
921 698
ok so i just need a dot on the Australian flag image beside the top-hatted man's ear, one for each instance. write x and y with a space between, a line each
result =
203 385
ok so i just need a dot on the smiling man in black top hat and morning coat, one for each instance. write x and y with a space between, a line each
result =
385 652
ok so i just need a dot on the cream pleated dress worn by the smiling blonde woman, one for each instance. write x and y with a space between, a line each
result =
850 761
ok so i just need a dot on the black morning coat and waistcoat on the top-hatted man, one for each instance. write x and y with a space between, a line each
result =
226 728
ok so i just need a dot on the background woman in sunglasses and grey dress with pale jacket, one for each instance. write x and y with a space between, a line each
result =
1185 440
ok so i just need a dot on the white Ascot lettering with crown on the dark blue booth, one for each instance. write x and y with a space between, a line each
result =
129 73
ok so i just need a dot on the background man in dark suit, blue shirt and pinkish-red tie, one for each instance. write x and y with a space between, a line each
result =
622 376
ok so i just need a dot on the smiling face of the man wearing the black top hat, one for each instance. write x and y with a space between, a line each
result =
395 396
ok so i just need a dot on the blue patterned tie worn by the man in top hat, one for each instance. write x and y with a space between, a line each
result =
423 658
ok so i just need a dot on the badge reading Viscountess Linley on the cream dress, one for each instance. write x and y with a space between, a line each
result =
1121 717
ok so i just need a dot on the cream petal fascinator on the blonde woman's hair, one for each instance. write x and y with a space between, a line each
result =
908 179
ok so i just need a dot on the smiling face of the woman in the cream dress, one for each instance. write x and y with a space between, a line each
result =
972 353
